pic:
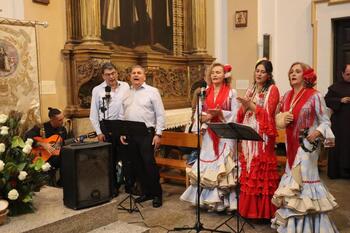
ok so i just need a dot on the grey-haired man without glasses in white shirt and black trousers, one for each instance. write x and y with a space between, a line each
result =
143 103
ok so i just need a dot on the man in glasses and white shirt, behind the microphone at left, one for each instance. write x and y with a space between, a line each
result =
106 104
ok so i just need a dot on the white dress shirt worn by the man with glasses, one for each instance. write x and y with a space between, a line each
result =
113 105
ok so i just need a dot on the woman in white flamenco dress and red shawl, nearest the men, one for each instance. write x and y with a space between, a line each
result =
218 156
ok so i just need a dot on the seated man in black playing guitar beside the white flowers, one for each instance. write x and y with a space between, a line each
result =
50 128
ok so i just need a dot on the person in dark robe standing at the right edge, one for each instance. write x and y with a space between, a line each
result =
338 99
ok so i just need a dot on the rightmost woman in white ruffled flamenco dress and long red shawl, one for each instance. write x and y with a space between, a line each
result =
303 201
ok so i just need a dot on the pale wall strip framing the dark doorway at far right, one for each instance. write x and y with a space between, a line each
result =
324 15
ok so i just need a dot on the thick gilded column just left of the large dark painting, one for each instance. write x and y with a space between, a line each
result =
90 21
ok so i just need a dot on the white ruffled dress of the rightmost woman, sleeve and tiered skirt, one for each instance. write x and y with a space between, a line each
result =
303 201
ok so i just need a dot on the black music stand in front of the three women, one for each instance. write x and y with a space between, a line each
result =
237 132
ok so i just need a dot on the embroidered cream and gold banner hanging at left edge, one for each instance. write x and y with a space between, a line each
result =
19 82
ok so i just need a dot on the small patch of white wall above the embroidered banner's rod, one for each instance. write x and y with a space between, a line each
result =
12 9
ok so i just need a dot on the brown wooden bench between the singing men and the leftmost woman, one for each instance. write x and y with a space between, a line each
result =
176 139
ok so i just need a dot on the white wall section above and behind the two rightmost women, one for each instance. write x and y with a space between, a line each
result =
289 25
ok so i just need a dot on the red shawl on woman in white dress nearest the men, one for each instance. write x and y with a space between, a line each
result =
211 104
